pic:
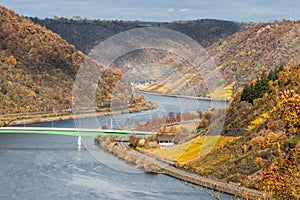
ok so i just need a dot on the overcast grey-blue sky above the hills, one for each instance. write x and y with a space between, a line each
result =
160 10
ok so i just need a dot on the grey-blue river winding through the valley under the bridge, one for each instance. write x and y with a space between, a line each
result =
52 166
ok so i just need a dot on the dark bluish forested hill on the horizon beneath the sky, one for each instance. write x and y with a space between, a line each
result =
85 34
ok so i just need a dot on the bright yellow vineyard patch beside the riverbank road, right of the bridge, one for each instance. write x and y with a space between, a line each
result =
192 149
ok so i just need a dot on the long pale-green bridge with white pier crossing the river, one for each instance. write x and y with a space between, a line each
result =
72 132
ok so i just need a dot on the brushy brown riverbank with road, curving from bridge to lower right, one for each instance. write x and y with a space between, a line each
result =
156 165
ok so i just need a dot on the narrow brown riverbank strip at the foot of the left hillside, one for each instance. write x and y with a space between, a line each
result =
28 118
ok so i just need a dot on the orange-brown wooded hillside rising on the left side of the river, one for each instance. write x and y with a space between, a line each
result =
38 69
